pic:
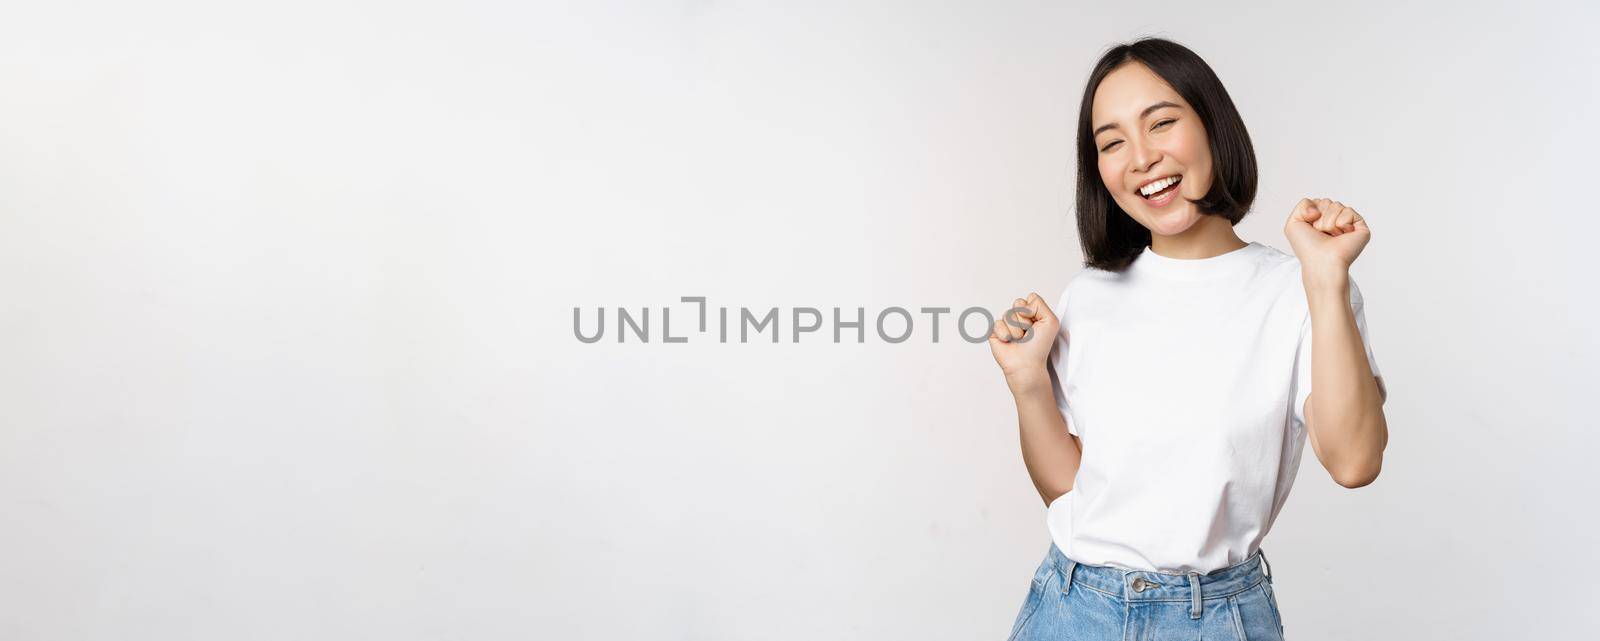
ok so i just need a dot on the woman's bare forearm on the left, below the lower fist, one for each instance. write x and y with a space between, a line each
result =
1049 450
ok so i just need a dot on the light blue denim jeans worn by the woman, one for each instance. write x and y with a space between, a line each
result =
1071 600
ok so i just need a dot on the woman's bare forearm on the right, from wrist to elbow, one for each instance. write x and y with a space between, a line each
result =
1346 405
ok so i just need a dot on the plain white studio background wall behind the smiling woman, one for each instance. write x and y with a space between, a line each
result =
287 297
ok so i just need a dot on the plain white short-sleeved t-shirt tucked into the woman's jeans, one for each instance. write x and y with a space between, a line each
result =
1186 383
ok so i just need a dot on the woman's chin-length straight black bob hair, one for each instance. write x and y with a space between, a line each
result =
1113 239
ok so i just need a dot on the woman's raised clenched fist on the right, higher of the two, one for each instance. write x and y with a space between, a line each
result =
1327 237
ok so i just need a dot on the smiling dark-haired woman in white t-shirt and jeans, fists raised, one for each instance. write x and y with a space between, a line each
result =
1166 412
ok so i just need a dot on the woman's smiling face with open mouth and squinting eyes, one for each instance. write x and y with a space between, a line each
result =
1151 138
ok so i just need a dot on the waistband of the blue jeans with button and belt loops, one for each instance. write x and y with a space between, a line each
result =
1145 586
